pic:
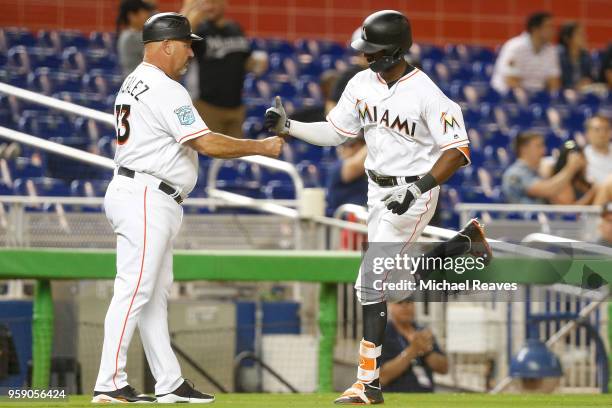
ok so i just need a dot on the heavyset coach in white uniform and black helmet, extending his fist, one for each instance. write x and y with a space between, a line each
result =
159 136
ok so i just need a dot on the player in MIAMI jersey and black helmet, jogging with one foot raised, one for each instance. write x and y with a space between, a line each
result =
416 139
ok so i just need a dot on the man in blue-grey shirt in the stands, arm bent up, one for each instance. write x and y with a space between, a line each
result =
521 182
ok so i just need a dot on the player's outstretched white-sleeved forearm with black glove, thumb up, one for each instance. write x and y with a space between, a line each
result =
317 133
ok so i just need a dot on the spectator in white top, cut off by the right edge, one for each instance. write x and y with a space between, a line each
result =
598 152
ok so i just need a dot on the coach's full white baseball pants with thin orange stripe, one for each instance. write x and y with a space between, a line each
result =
146 221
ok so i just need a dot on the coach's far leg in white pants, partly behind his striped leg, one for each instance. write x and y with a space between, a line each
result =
153 327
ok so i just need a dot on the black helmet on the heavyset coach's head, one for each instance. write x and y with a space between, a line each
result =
167 26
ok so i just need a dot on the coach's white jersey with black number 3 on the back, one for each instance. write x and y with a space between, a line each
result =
154 118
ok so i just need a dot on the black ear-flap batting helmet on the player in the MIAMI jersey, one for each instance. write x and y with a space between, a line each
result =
385 30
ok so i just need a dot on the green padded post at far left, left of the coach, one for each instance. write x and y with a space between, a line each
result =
42 334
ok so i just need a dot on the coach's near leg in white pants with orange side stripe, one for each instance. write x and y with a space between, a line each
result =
143 229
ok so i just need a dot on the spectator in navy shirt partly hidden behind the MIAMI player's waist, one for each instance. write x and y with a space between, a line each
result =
347 182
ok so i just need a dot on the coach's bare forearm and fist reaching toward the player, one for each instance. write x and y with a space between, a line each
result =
226 147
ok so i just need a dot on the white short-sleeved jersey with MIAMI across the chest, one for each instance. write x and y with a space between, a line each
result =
406 127
